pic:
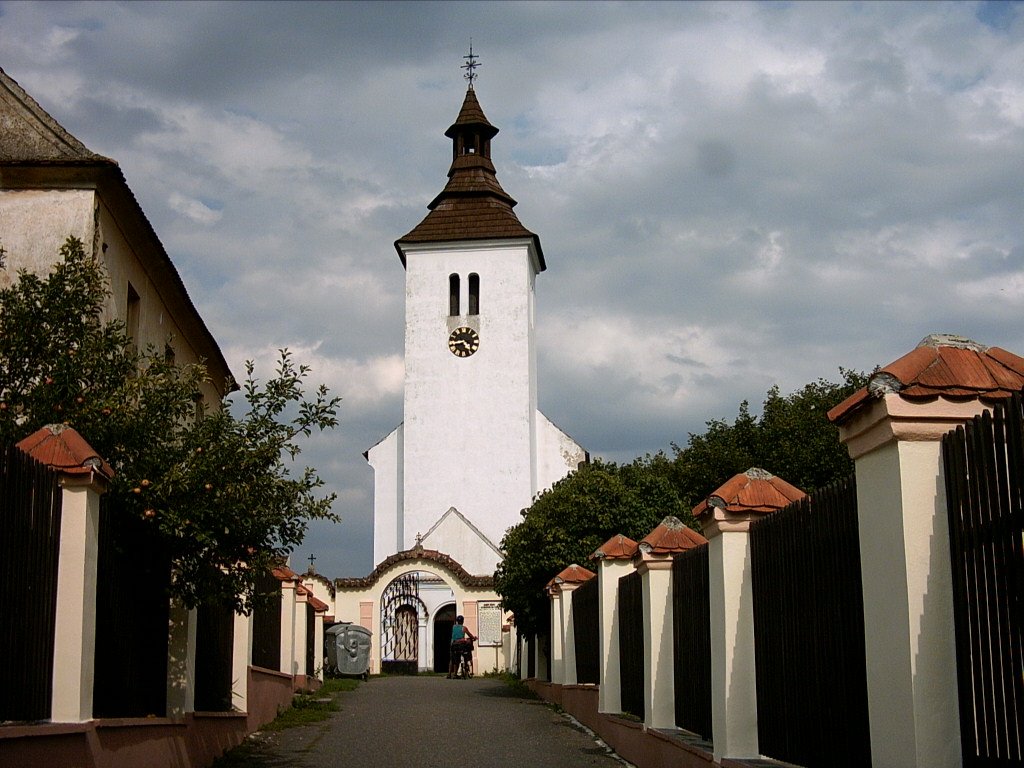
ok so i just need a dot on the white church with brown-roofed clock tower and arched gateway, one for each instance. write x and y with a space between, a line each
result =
473 450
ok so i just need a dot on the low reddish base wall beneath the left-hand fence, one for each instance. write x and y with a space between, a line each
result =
195 740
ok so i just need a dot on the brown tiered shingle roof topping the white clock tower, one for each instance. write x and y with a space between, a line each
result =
473 205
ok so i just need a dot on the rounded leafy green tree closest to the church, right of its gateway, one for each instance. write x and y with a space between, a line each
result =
568 523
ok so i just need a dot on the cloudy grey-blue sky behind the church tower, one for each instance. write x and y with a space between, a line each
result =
730 196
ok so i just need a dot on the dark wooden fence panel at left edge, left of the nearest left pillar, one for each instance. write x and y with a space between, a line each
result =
30 542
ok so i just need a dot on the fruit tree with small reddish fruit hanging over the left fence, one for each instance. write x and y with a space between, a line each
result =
217 487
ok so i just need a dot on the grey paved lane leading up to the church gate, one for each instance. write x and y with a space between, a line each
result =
432 722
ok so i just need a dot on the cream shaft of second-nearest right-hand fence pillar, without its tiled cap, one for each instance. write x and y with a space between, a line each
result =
734 676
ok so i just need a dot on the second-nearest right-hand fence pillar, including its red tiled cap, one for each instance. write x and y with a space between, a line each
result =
727 517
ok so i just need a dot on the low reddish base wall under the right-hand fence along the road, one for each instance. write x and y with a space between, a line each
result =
646 748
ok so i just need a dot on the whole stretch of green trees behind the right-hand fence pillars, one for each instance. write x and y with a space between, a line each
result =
793 439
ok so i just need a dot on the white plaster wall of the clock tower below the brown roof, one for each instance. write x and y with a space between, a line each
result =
470 421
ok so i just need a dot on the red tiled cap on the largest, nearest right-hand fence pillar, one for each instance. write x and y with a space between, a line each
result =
942 366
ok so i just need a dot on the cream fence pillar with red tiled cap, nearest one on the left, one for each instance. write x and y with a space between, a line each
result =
84 477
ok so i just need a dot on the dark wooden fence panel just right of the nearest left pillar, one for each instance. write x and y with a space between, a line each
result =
133 612
